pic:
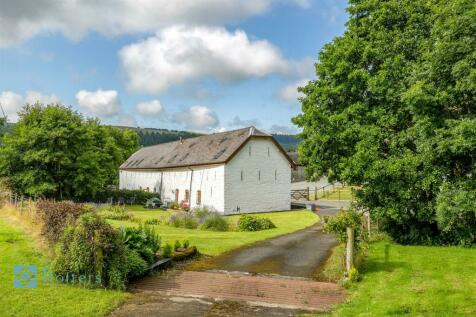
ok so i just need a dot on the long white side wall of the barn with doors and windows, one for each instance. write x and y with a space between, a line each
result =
208 179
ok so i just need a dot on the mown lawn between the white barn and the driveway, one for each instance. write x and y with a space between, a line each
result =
212 242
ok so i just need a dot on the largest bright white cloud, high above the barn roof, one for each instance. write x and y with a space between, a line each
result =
180 53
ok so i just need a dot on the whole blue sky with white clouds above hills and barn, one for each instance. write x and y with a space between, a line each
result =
198 65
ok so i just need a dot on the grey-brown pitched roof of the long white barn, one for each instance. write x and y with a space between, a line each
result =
208 149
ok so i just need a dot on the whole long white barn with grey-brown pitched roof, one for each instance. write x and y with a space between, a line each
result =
240 171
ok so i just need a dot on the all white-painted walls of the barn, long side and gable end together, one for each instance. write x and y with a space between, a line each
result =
266 183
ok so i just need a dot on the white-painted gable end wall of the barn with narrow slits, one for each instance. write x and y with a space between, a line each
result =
266 182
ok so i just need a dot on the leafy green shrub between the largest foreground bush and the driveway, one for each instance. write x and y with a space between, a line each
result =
144 240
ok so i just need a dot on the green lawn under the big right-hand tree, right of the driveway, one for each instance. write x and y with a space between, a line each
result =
414 281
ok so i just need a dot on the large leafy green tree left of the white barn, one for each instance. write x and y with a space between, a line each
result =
54 152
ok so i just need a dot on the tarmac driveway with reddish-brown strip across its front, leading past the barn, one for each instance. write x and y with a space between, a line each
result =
268 278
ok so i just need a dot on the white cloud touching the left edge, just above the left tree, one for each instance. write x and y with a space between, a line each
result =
12 103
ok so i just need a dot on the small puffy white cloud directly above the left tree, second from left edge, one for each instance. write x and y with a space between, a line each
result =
103 103
